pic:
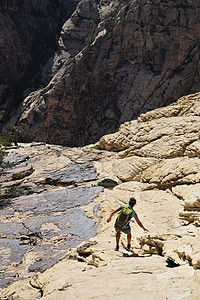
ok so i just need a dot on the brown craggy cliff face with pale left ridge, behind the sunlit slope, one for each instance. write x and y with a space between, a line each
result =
118 59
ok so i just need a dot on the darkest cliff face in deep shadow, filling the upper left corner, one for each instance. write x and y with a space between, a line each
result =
27 37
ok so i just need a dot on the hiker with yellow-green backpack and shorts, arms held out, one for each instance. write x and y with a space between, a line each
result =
122 222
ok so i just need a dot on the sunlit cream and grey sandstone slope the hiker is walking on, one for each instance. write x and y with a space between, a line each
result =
163 263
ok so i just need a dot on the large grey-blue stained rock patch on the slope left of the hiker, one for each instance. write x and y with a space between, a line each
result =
48 224
